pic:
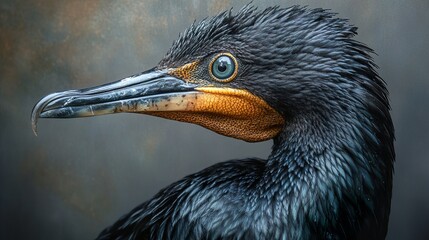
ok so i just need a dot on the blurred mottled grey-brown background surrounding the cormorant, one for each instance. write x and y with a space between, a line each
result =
80 175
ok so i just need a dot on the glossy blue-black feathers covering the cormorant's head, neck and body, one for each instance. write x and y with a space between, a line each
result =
329 175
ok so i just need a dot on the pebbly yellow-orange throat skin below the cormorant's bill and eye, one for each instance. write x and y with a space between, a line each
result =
230 112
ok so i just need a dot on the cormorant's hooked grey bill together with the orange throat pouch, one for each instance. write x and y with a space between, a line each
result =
228 111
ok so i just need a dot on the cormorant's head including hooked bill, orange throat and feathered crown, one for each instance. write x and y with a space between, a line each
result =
246 76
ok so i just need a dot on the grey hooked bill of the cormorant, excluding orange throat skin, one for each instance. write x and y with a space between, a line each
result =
150 91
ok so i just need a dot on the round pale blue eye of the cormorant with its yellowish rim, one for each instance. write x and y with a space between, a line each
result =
223 67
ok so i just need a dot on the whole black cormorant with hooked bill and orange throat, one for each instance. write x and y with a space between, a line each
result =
294 75
